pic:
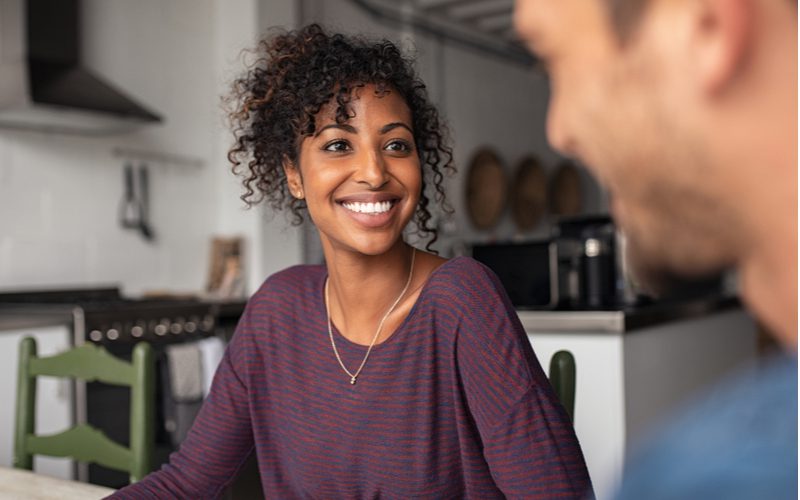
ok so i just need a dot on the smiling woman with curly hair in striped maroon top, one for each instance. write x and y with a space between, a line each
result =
388 372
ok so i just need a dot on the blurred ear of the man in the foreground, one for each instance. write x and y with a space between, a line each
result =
725 32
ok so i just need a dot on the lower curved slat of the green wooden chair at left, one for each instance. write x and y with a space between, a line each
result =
82 443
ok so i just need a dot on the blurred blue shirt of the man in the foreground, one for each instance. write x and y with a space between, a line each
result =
738 443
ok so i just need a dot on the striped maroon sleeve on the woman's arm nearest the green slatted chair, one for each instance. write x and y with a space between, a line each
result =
216 446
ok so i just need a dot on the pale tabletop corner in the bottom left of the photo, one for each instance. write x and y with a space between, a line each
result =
27 485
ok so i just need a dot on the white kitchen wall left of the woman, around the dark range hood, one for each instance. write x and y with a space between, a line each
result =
59 194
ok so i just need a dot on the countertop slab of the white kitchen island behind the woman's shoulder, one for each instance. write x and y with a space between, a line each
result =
626 320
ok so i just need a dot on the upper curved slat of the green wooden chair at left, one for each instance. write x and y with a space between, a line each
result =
87 362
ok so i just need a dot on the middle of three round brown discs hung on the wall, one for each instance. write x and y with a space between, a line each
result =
528 194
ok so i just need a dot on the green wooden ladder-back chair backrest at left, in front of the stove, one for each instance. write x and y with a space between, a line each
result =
83 442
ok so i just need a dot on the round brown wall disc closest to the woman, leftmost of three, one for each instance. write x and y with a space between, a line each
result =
486 189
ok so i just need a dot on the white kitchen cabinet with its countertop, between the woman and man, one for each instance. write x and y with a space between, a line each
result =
636 367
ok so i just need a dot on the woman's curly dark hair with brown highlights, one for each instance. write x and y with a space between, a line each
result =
296 73
